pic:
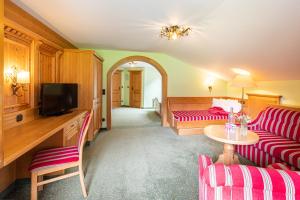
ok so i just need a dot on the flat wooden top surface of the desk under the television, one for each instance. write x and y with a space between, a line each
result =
21 139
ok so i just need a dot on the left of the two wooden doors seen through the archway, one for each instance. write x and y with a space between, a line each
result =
116 89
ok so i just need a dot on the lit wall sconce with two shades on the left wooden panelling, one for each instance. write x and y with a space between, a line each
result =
19 79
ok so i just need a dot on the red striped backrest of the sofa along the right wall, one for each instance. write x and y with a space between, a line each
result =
282 122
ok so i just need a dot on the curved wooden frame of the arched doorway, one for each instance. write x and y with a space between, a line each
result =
164 86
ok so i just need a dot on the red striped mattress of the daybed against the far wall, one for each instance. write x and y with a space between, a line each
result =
194 115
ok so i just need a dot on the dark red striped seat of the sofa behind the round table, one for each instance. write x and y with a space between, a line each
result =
279 147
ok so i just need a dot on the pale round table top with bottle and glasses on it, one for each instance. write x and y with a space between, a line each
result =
219 133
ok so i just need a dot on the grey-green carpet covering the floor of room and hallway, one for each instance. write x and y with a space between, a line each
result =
134 163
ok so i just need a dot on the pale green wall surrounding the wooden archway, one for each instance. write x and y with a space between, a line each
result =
183 79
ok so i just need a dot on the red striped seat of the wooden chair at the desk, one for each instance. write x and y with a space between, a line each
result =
55 156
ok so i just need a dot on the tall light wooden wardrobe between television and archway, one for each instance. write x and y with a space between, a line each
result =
85 68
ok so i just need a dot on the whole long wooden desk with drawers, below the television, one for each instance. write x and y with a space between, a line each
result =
21 142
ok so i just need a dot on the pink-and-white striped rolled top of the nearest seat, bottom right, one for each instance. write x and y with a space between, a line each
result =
252 178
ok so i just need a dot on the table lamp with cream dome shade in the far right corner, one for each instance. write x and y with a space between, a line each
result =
243 81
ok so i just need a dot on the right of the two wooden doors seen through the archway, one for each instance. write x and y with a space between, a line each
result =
135 89
